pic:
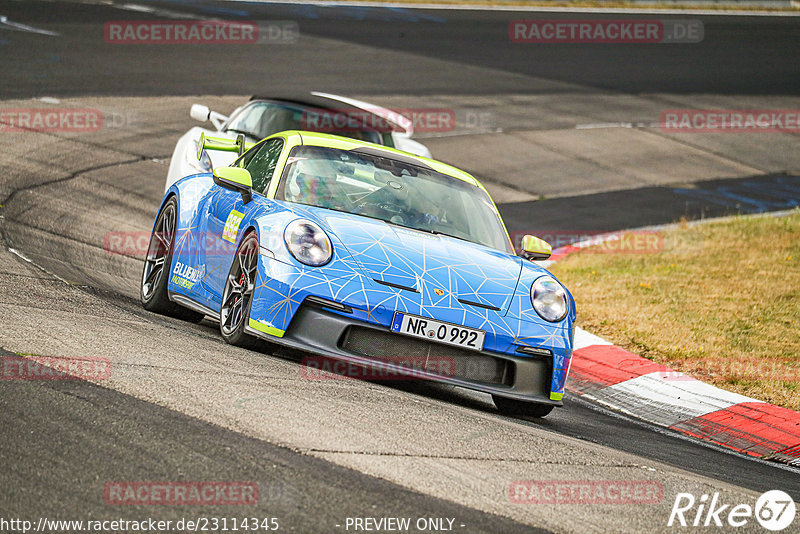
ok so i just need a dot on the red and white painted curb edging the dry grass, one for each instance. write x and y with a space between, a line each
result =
628 383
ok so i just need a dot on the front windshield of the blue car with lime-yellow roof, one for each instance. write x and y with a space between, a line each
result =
397 192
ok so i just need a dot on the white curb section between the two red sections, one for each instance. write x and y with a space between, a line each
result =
667 398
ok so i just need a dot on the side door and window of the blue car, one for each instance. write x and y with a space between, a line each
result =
228 212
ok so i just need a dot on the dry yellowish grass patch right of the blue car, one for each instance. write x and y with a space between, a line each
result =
720 302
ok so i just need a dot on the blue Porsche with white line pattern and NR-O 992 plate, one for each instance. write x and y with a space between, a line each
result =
359 252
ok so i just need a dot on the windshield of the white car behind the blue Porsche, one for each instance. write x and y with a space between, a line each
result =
262 119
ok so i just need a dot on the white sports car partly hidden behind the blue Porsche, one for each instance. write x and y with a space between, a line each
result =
264 116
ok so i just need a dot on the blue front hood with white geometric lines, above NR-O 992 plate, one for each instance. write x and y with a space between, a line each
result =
439 267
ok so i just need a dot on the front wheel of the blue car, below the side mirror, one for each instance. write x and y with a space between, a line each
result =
238 294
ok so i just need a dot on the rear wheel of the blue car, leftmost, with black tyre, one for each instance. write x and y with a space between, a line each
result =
155 274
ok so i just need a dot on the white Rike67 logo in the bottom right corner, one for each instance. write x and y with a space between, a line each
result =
774 510
